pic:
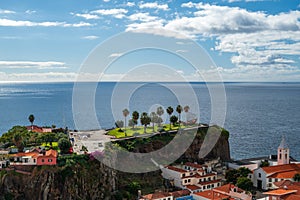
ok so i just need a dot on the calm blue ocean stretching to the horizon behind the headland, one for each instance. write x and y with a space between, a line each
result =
257 116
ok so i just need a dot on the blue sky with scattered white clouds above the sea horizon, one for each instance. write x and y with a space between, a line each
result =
248 40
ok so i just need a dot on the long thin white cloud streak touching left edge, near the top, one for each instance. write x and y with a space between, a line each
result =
15 23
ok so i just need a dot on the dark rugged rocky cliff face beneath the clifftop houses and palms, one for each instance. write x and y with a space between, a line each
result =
90 179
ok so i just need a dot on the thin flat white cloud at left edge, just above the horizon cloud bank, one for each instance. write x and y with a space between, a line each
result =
32 65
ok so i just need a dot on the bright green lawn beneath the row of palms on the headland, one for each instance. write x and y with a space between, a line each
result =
140 130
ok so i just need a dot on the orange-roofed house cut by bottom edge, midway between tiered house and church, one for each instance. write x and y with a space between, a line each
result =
228 191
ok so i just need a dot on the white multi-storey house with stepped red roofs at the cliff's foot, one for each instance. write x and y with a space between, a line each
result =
192 176
